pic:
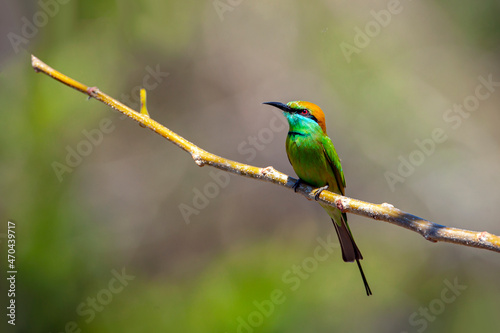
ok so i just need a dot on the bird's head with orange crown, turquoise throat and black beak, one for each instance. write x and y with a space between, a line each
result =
301 111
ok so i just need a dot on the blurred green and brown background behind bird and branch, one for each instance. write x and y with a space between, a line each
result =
102 245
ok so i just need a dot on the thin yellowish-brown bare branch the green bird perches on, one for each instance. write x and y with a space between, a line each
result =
384 212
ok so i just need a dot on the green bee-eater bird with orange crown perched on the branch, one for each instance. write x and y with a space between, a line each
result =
315 161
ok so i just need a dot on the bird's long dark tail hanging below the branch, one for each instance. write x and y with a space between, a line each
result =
350 251
